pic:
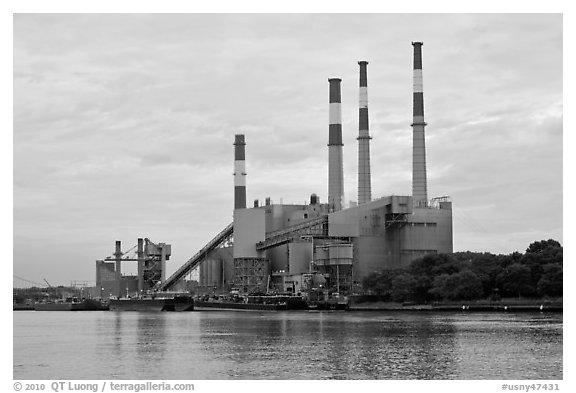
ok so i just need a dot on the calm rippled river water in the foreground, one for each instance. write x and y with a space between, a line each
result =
286 345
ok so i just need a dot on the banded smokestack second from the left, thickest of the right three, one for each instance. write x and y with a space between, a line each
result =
335 160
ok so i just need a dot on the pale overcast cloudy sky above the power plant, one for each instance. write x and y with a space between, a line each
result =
124 124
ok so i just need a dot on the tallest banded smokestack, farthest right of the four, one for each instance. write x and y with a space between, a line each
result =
419 187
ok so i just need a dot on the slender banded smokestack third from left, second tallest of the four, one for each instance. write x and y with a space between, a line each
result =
364 181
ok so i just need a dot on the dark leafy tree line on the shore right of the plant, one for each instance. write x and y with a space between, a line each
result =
473 275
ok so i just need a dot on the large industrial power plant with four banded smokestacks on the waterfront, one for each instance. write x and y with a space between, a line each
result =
286 248
